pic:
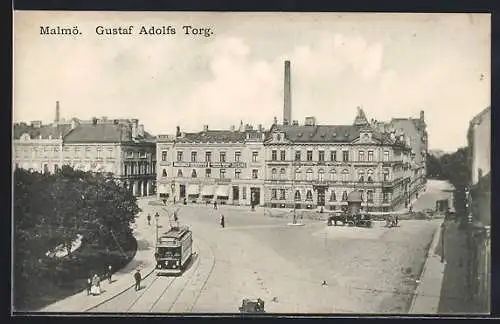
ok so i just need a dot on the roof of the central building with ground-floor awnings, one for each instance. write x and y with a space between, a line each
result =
215 136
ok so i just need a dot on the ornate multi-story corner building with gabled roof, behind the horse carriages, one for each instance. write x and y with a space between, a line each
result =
310 165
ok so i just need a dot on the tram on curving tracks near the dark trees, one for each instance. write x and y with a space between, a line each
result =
174 250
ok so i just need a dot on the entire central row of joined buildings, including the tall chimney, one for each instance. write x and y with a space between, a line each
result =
292 165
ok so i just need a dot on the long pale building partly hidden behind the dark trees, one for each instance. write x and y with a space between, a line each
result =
119 146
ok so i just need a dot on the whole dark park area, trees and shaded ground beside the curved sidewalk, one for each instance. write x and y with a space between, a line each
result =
67 226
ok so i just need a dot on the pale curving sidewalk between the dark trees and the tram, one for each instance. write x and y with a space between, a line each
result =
122 280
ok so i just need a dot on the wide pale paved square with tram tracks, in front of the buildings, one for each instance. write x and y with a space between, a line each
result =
366 270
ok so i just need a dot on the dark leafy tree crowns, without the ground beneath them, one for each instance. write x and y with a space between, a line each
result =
53 209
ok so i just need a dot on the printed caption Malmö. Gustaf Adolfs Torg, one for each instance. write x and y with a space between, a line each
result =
131 30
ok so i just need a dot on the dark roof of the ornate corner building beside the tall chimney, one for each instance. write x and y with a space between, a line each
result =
327 133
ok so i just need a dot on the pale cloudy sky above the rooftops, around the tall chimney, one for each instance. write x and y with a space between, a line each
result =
391 65
